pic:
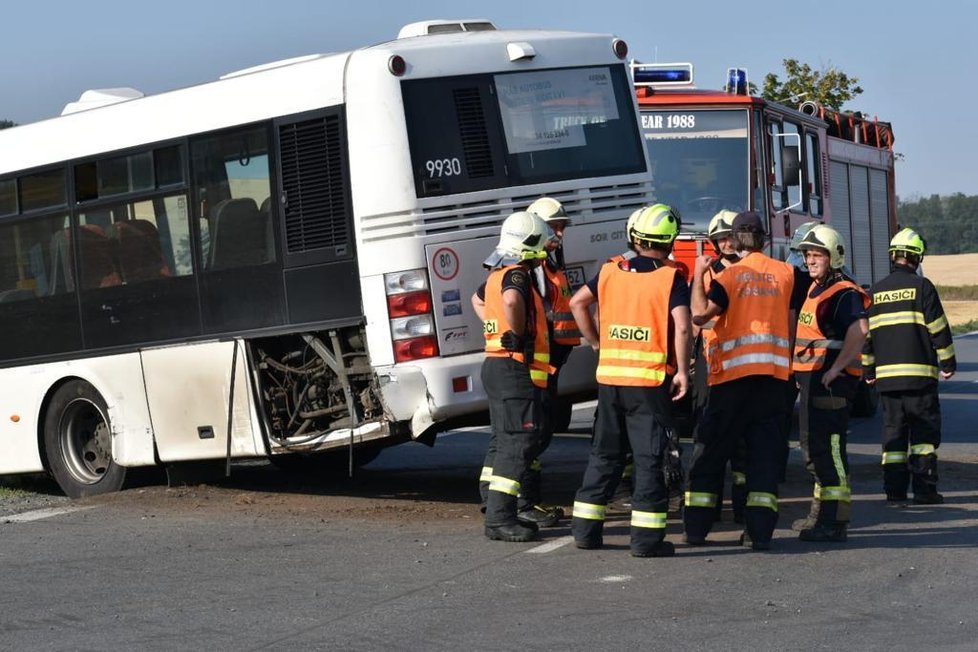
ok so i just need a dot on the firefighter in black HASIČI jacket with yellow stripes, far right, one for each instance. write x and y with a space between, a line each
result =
909 347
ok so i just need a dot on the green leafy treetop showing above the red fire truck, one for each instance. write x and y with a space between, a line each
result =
829 86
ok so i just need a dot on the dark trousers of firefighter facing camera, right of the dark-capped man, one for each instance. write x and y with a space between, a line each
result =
823 420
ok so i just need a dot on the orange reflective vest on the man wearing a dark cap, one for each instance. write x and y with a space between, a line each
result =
752 333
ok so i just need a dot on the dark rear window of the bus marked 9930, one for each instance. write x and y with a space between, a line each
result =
488 131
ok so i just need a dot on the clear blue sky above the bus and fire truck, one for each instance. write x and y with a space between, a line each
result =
915 60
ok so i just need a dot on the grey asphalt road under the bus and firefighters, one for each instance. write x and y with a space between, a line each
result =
396 559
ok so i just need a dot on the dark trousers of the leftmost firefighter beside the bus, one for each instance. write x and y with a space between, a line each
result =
517 414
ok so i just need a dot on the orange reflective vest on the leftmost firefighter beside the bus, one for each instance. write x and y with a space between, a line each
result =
495 325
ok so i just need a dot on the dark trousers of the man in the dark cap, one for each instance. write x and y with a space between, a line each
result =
749 409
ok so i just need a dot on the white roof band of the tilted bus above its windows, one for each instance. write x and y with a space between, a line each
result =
279 88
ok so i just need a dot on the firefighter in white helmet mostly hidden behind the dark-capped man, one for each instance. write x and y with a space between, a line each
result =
720 236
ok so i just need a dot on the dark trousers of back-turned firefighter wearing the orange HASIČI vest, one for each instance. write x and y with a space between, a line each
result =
628 418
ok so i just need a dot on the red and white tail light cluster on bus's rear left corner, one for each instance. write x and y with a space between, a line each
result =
412 320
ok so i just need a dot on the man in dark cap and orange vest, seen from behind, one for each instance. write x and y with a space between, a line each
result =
749 363
